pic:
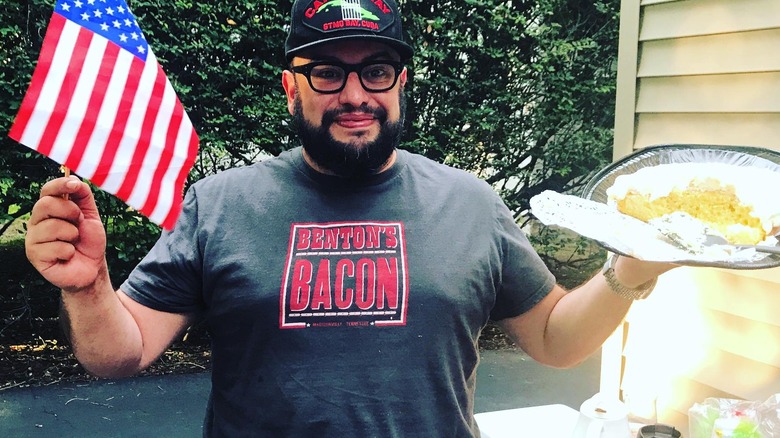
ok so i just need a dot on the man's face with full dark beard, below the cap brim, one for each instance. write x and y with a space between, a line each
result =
353 132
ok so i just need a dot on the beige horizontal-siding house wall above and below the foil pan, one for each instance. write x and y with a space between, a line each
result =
700 72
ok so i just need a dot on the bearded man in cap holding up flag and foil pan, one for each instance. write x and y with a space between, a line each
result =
344 283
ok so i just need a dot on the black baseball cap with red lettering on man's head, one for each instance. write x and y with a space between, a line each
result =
314 22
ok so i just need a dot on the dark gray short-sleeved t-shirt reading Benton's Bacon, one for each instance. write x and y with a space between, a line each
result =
342 308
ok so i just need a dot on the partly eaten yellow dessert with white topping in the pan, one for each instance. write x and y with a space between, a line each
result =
733 200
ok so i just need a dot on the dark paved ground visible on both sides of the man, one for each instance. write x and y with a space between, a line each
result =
173 406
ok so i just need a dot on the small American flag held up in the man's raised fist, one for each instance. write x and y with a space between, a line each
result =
100 104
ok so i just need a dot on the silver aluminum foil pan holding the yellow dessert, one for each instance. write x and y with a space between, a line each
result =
589 216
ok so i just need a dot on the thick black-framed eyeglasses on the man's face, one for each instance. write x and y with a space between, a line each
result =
331 77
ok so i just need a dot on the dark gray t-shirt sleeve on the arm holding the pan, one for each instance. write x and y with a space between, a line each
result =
525 279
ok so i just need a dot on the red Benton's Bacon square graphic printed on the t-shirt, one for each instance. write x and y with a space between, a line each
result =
345 274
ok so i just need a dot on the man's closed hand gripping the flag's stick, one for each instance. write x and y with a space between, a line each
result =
66 241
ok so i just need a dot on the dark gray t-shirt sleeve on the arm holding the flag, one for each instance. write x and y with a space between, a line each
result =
168 278
